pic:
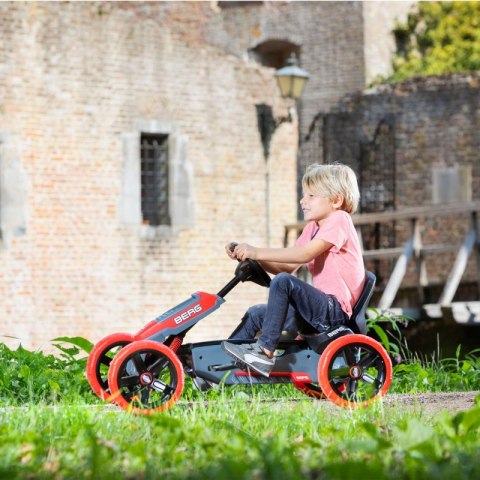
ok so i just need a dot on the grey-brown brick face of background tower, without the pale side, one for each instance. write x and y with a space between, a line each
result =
331 39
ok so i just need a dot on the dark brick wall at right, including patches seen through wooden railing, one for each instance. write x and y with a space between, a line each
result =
433 126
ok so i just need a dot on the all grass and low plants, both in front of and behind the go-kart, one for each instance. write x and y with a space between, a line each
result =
52 426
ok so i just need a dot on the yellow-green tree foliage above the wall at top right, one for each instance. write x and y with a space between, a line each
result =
438 38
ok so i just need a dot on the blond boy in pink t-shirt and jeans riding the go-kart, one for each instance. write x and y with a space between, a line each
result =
330 249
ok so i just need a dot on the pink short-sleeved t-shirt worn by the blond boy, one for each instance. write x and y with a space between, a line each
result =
340 270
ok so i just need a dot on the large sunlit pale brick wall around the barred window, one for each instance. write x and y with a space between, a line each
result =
75 78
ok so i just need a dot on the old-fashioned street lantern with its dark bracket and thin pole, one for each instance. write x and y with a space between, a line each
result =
291 81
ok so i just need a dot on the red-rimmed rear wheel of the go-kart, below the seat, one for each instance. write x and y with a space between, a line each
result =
354 370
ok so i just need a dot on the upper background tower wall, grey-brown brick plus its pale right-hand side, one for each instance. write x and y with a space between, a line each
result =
343 45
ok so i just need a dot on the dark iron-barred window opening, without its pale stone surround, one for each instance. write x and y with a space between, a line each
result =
154 179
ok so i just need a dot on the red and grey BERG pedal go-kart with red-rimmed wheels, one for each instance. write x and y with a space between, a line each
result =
145 372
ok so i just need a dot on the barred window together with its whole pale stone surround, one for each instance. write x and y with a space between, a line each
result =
157 194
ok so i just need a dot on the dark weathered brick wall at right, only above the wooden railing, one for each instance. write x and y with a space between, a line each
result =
436 124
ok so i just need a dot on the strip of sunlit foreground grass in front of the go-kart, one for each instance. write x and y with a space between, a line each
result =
230 440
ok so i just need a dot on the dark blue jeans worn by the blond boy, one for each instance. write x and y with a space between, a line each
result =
289 296
